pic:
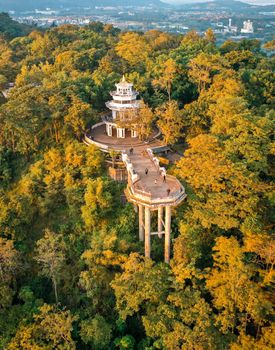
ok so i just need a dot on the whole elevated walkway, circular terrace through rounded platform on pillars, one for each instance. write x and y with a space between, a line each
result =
149 187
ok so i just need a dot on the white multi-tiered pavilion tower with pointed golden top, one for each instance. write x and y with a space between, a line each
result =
124 107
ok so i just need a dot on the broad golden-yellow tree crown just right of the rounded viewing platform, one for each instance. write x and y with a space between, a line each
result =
226 193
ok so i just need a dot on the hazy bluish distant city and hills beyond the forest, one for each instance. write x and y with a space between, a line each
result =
227 21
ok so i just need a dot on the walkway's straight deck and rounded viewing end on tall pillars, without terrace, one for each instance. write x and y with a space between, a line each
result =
152 191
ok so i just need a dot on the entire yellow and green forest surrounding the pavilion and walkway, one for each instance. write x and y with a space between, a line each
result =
72 271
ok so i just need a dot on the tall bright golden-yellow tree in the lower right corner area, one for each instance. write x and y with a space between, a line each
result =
236 296
